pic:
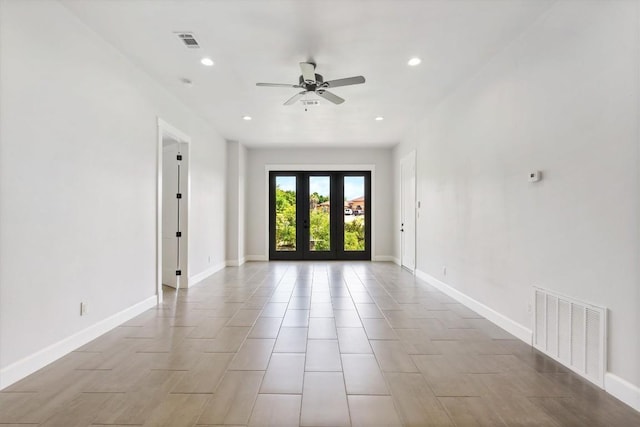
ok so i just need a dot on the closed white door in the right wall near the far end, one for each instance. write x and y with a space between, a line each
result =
408 211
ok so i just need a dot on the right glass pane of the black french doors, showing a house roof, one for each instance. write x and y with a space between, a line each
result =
355 206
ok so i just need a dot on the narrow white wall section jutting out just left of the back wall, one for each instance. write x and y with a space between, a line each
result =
236 170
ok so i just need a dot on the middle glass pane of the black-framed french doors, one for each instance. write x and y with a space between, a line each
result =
319 213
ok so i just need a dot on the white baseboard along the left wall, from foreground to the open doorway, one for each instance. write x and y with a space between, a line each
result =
28 365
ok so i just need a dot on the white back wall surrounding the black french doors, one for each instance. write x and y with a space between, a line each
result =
257 215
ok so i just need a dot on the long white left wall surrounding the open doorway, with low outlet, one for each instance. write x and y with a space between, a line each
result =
78 147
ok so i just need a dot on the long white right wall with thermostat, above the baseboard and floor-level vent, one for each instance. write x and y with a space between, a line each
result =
563 98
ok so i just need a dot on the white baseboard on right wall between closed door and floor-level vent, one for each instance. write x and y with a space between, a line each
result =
499 319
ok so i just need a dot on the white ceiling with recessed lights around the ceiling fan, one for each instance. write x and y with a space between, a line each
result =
264 40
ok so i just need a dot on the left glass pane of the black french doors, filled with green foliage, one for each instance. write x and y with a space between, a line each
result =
285 213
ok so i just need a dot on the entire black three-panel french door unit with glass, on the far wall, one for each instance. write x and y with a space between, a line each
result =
320 215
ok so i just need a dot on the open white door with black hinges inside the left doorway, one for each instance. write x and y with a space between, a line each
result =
171 207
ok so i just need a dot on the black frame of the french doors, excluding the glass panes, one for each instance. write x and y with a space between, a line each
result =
336 219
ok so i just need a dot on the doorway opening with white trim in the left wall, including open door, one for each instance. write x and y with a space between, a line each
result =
172 209
